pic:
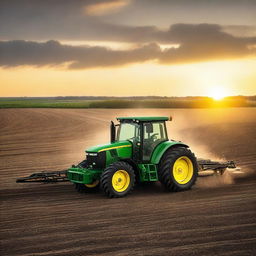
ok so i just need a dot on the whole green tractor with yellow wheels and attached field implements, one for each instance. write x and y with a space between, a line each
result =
139 151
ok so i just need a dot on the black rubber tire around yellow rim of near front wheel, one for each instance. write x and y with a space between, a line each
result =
107 176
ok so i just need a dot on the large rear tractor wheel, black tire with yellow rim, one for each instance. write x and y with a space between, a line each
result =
178 169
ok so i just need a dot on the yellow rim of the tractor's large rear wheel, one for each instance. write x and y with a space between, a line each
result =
183 170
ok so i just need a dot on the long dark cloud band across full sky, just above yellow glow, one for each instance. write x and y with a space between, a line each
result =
200 42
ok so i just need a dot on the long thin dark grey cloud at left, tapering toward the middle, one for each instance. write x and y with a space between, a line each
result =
52 53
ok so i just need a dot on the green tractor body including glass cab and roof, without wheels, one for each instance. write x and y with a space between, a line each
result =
140 142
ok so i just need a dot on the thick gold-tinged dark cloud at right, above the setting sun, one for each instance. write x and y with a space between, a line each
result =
202 42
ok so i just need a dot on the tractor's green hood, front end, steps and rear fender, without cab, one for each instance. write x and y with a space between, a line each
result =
119 151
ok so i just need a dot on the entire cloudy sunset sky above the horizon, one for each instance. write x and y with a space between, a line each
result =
127 48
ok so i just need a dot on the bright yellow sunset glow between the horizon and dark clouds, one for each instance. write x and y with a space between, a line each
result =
205 79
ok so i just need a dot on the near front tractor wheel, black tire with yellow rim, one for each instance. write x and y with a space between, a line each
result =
117 180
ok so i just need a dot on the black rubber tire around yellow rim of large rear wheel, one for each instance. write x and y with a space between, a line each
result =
165 170
